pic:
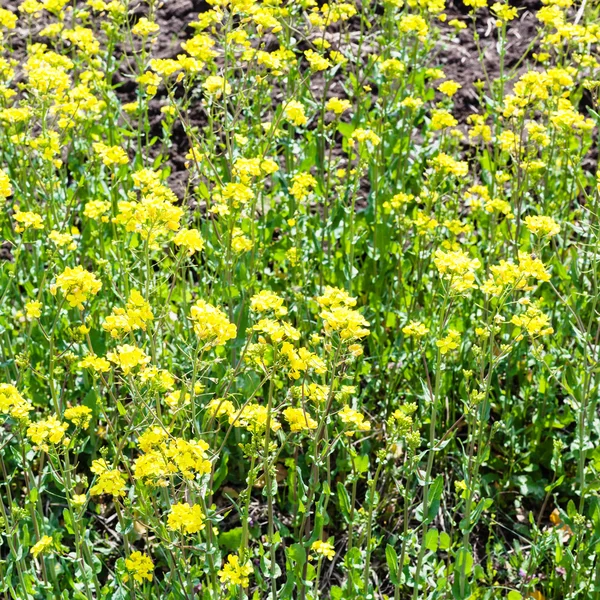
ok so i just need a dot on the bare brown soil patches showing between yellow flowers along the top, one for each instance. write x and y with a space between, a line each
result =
457 54
